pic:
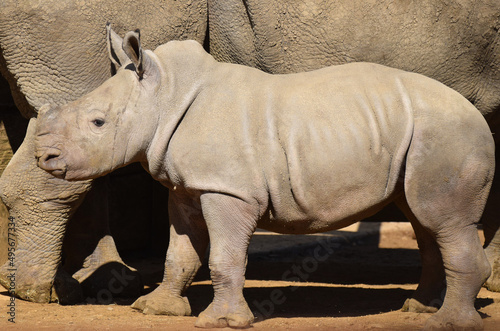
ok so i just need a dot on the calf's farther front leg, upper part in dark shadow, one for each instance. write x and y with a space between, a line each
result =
187 247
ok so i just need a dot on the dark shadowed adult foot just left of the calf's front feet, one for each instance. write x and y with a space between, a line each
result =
110 280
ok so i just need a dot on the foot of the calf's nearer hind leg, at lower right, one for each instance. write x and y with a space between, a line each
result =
454 320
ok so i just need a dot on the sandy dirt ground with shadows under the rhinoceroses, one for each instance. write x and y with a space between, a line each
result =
356 279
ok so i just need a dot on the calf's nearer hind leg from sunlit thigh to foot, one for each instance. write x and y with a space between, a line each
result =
446 189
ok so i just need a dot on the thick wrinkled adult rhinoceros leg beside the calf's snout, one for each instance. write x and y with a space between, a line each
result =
39 206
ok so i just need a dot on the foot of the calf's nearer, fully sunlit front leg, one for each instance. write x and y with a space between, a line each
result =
222 315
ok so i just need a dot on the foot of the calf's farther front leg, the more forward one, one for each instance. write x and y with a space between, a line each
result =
162 302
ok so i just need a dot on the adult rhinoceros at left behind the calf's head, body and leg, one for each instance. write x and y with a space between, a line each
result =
54 52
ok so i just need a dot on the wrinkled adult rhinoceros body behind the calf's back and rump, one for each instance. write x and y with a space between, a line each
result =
454 42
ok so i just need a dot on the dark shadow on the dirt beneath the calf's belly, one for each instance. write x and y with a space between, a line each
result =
323 287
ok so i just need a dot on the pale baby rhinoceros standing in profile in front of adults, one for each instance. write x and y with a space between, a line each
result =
300 153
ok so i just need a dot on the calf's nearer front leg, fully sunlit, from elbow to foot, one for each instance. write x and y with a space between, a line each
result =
231 223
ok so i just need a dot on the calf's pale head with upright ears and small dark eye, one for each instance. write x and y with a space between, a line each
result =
107 128
